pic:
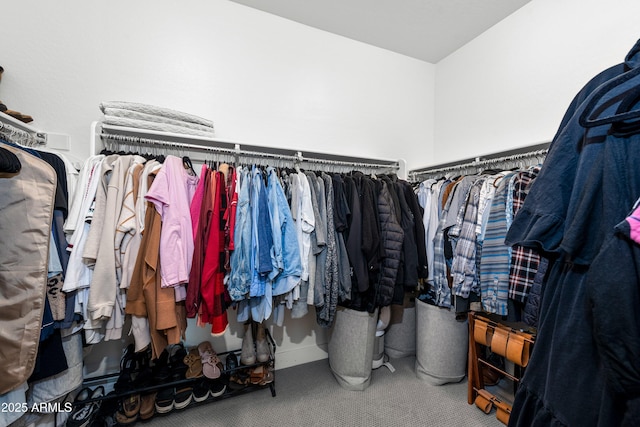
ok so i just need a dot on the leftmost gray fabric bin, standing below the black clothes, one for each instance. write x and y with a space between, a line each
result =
351 342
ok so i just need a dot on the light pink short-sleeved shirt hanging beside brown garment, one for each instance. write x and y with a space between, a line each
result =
171 193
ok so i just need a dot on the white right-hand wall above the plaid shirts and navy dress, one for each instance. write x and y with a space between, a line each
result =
510 87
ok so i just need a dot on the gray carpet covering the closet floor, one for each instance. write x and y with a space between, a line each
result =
308 395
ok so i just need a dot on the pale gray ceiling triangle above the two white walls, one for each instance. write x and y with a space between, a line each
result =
428 30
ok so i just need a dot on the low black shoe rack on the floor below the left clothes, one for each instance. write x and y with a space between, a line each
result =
237 378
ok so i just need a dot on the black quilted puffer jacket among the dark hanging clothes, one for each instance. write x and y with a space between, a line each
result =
392 238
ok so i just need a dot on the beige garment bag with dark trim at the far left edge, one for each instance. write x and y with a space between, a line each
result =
26 212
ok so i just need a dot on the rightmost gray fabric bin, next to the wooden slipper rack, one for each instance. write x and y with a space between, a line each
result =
442 343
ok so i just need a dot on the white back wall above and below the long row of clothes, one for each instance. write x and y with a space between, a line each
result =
263 80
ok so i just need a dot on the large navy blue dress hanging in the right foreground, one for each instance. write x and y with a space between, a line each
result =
584 189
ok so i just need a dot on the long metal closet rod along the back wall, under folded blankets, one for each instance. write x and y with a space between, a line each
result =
296 158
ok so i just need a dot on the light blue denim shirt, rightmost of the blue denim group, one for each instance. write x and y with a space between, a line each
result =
286 249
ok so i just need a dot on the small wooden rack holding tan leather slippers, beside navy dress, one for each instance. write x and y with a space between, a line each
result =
513 341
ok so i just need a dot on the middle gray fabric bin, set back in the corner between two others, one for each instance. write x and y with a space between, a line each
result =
400 337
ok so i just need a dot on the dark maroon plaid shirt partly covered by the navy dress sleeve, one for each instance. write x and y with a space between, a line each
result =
524 261
